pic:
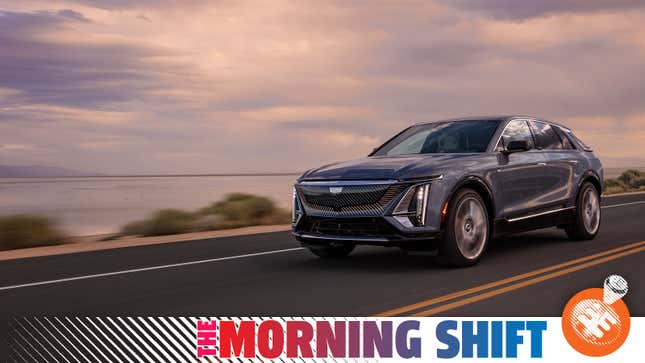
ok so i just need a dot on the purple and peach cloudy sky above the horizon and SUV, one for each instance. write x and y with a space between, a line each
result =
233 86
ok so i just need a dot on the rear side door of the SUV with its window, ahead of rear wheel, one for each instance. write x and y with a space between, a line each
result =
560 164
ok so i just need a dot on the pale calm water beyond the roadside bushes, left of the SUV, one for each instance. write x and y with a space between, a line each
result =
97 205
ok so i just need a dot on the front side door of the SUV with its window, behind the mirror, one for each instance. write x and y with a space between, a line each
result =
519 178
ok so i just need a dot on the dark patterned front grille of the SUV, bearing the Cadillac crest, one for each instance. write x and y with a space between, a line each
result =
353 200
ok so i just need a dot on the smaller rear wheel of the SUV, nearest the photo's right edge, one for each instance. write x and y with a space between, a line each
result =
579 230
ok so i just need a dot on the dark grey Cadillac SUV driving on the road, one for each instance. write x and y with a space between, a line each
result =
448 187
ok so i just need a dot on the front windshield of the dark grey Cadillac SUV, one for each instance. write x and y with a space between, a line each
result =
468 136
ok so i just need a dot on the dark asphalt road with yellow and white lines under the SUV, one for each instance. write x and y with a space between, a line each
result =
268 275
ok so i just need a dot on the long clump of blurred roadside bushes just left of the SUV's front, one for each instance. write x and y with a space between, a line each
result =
236 210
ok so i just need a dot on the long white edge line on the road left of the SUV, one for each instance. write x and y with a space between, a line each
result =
152 268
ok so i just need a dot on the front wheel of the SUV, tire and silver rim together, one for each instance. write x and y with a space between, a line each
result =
466 231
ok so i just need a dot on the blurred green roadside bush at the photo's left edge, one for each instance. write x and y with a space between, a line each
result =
23 231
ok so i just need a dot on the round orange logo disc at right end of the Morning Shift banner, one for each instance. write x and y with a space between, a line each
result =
595 322
